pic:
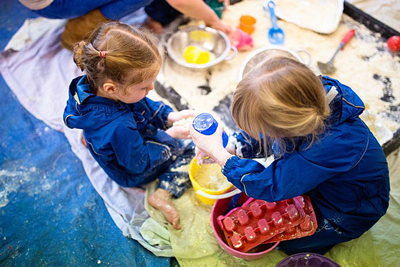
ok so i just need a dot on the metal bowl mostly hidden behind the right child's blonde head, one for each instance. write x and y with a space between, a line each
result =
259 55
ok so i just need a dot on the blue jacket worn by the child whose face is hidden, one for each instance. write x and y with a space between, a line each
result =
344 171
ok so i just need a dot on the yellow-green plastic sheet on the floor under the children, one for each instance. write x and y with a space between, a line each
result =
195 244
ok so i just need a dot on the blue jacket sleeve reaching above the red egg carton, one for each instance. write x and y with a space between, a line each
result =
285 178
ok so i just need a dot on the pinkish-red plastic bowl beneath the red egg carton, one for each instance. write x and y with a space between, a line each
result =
218 209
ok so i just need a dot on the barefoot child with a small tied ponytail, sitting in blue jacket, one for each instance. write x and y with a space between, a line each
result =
131 137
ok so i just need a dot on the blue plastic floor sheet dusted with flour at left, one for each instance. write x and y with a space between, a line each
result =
50 215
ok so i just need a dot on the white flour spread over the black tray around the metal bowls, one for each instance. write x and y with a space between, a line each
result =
365 65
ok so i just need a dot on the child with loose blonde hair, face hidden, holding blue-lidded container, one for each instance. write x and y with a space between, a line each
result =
322 149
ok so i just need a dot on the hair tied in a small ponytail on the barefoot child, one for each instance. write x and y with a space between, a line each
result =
113 51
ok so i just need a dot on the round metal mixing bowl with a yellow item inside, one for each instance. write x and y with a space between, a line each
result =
211 40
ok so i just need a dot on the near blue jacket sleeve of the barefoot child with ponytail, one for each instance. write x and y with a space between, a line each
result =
135 154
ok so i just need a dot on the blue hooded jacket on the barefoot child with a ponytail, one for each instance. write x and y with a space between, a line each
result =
127 140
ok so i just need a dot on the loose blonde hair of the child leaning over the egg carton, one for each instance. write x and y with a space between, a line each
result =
281 99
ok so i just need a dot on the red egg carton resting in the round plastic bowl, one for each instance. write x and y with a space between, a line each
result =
257 222
